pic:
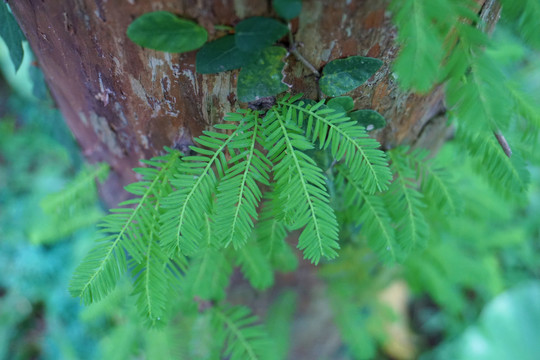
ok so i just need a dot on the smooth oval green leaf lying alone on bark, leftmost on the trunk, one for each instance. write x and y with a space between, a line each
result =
164 31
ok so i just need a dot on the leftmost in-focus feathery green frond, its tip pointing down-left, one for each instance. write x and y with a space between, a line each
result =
100 270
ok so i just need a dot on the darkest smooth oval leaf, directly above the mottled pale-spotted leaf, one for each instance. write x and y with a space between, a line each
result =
256 33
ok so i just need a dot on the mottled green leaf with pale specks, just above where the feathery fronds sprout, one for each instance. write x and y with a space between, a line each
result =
263 76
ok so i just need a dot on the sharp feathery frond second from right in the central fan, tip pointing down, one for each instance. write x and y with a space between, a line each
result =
301 187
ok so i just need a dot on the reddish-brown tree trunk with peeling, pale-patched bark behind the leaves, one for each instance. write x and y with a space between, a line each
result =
124 103
